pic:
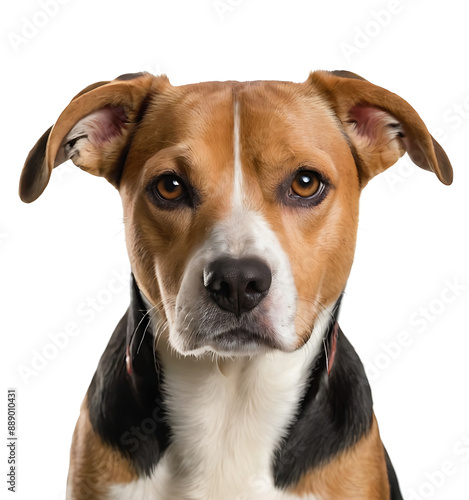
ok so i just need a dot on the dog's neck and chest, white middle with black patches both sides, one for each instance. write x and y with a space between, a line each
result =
206 424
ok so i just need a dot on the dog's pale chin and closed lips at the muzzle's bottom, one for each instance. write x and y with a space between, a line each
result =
236 342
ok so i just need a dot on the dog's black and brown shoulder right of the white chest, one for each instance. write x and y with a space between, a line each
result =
334 441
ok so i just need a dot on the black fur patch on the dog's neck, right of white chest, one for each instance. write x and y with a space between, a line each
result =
336 411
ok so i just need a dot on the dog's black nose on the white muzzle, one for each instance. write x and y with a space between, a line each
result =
237 285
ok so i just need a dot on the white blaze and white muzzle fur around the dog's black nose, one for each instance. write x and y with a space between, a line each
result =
244 233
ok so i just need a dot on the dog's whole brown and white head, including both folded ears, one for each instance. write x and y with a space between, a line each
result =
240 199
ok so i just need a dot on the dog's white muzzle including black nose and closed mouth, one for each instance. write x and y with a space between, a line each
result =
237 295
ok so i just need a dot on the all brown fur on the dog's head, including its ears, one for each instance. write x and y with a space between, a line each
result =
189 130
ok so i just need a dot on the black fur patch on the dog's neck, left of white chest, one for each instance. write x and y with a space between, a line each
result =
128 411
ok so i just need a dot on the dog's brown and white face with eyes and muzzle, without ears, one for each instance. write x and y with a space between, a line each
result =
246 208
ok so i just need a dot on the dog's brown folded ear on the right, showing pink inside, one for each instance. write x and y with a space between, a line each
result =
381 125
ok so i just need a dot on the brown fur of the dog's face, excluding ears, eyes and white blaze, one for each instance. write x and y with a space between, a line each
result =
328 231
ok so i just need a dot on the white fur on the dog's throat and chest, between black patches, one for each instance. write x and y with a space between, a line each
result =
227 418
